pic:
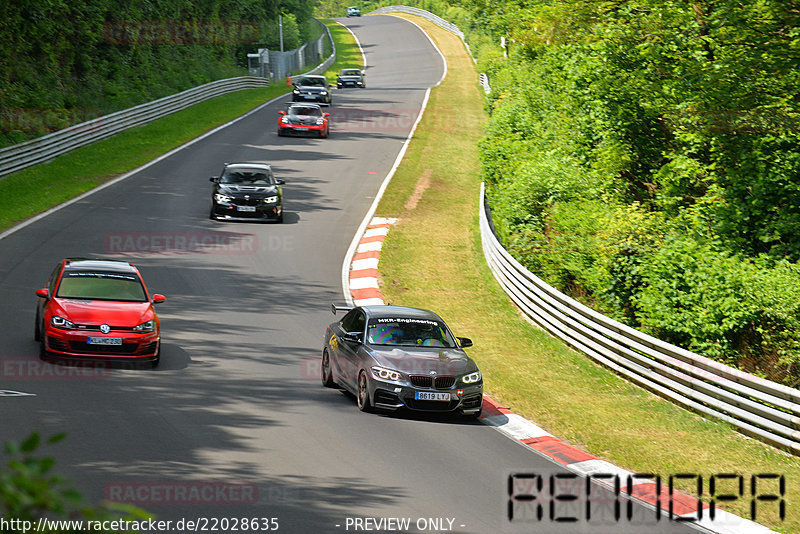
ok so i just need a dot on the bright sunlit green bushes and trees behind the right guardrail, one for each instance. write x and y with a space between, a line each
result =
644 157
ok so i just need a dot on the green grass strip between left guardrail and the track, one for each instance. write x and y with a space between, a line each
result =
39 188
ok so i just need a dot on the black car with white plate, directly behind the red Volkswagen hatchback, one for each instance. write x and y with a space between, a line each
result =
246 192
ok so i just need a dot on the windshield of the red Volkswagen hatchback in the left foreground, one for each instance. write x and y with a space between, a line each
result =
101 286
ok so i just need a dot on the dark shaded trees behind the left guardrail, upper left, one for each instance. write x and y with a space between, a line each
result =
66 61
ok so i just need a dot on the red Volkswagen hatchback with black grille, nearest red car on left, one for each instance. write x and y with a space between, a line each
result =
94 309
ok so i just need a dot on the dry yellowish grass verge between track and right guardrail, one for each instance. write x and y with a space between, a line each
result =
433 259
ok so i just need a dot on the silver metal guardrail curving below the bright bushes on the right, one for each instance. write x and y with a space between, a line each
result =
757 407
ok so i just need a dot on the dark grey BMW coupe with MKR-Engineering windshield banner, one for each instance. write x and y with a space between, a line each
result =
393 357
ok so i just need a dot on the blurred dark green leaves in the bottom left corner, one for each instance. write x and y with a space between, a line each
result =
29 490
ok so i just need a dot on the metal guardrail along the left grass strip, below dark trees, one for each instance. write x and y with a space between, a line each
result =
47 147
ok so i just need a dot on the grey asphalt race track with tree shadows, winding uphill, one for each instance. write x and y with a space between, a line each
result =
234 422
